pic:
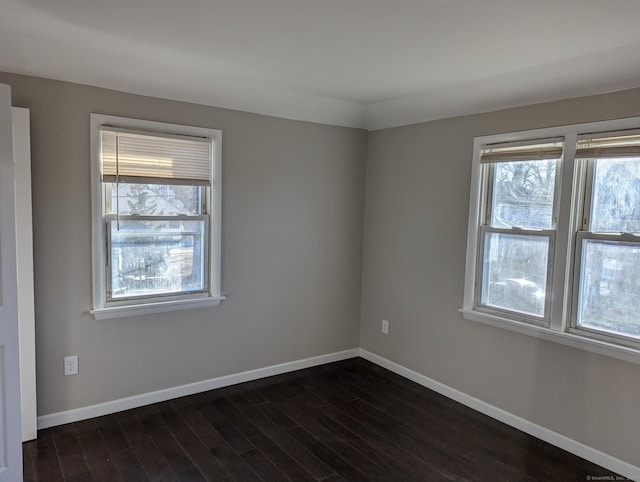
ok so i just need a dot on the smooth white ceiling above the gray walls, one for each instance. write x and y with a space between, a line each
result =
361 63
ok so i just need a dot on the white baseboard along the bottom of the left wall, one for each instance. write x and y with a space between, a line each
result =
99 409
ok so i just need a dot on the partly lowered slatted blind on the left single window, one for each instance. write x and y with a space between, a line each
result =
150 158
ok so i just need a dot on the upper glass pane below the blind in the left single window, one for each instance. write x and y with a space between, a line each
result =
154 199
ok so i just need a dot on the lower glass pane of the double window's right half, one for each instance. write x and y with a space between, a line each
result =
609 297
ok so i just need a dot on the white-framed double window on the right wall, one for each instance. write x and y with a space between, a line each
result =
554 235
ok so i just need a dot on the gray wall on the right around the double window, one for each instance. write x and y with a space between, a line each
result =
416 216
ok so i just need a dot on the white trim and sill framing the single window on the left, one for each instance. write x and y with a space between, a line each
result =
102 310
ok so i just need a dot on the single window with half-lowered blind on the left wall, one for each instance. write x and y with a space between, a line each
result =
156 222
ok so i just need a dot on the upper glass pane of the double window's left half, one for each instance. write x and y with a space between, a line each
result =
523 194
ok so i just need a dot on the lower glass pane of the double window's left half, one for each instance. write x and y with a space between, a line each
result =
515 272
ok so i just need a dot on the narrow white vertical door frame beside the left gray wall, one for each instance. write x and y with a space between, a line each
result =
24 259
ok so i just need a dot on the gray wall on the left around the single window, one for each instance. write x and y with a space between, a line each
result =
293 196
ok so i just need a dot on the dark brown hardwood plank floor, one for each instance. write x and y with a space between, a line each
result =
350 420
